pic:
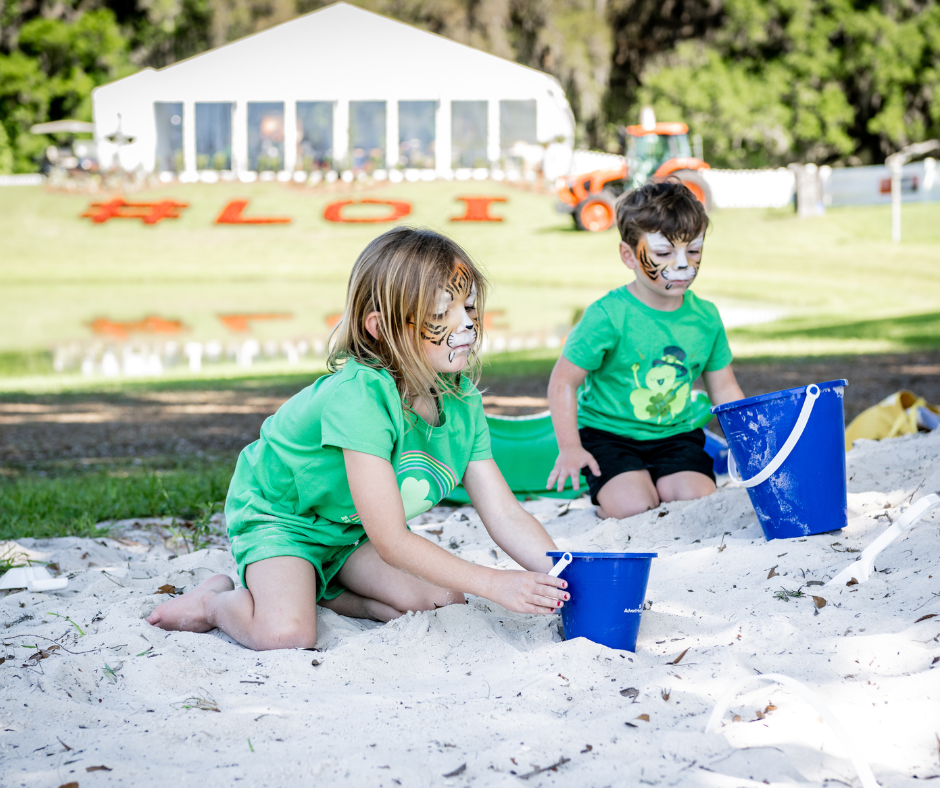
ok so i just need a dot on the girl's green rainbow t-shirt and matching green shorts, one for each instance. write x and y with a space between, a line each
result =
295 472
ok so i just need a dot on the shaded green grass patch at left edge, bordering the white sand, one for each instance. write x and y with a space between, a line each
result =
72 504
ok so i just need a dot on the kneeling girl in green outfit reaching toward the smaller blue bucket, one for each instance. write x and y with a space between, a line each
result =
317 508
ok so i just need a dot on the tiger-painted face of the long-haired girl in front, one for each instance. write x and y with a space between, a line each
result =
451 331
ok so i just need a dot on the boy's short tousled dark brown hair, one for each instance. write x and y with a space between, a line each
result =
666 207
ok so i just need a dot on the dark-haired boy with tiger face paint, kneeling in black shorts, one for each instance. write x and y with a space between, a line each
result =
634 356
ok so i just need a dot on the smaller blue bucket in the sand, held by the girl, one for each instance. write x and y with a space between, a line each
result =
607 593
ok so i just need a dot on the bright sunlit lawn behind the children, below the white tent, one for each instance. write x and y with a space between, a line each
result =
836 282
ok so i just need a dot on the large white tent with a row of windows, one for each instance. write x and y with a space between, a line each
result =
339 88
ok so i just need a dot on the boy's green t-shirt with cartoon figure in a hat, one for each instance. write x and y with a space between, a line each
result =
642 362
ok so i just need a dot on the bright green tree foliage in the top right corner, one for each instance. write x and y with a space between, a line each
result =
805 80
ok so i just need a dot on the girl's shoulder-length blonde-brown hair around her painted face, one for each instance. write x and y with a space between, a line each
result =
399 275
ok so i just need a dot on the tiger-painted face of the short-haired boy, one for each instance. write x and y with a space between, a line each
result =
664 269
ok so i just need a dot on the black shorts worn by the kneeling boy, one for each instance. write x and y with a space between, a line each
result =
616 454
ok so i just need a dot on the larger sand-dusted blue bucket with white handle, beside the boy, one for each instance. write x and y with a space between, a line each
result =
790 447
